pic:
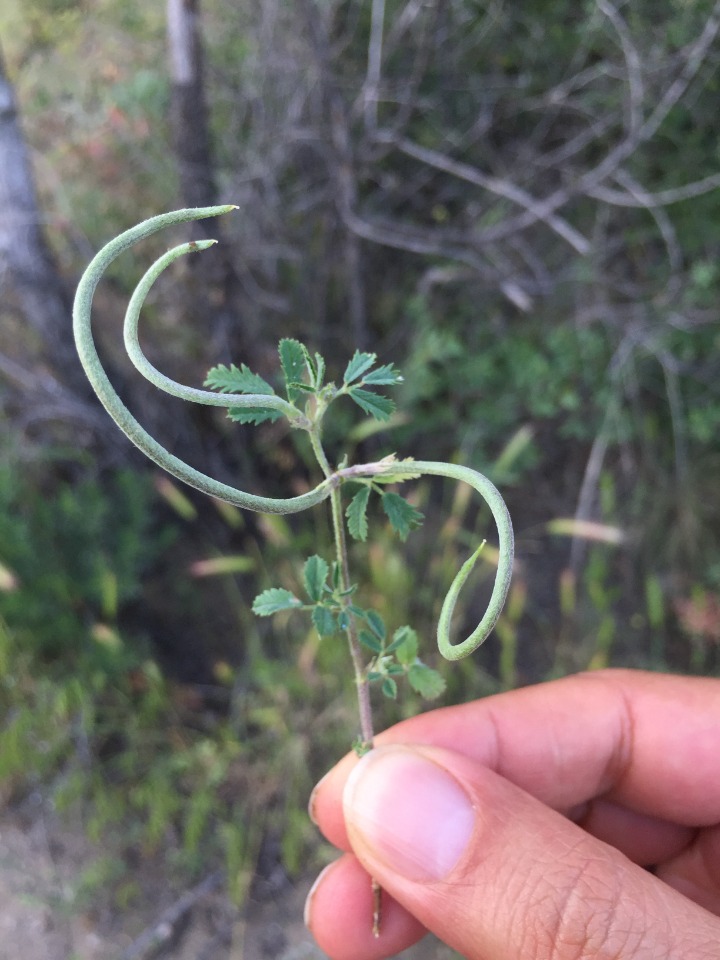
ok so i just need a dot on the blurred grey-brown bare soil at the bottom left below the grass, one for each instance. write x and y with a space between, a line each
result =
44 915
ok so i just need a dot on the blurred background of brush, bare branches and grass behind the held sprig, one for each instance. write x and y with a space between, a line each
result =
518 205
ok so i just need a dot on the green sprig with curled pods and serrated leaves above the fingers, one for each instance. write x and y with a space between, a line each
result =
330 594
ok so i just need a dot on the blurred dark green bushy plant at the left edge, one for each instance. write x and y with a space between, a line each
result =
78 555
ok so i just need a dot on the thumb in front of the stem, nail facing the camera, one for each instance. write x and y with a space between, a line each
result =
497 875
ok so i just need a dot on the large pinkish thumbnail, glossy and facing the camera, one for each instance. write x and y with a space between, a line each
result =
409 812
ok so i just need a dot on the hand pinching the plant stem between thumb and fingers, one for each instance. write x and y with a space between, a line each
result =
571 820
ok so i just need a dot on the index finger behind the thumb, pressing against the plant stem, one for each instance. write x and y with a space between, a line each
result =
646 741
